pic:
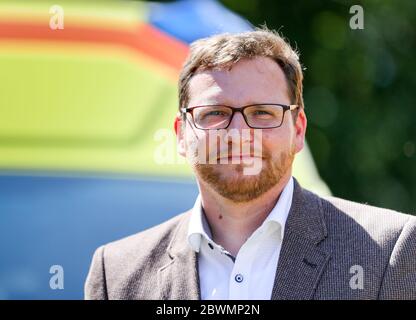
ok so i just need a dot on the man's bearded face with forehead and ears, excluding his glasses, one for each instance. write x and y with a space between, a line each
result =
254 81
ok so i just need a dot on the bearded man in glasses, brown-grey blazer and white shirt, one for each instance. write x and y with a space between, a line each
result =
255 234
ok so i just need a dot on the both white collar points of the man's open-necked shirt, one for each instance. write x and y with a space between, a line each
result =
198 225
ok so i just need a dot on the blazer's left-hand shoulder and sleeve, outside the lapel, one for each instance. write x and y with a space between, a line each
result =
118 267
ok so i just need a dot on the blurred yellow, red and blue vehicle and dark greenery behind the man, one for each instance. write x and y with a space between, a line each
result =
81 144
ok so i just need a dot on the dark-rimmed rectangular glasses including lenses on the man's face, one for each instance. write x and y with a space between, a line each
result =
257 116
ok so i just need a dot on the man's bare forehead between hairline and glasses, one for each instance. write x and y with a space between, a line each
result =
249 81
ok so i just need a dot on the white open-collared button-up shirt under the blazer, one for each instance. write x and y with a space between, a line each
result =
252 274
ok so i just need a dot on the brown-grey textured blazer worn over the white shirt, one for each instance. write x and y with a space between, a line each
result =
332 249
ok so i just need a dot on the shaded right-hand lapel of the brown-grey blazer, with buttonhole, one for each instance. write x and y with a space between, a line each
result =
301 262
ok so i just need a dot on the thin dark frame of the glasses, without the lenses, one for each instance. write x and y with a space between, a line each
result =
285 107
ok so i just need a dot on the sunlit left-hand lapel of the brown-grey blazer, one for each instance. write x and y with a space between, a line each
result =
179 279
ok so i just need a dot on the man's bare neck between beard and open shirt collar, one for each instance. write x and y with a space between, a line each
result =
233 223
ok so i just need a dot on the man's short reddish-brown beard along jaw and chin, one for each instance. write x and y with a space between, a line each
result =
241 188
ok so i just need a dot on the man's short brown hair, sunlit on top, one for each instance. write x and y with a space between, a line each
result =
224 50
